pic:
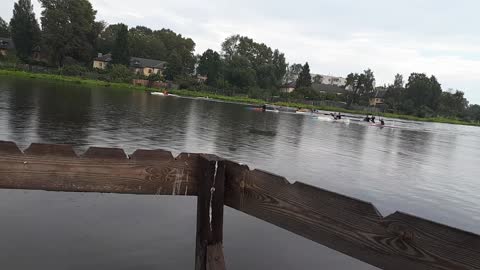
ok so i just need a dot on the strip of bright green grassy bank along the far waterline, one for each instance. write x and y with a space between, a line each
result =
236 99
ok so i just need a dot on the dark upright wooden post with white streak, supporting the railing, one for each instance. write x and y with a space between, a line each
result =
211 187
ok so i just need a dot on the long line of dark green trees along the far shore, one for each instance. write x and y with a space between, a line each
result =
70 33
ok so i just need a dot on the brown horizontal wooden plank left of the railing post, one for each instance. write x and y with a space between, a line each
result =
52 170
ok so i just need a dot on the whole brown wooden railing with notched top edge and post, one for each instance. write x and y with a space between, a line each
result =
348 225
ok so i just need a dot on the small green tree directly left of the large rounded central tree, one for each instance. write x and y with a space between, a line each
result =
210 65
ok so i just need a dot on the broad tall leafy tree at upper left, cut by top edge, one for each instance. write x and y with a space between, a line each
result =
69 29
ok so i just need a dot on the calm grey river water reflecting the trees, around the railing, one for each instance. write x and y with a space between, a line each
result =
430 170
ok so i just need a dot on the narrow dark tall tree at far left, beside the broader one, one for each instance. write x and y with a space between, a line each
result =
24 29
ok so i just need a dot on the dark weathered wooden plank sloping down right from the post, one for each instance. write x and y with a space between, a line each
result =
348 225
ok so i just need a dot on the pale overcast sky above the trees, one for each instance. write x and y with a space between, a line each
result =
336 37
